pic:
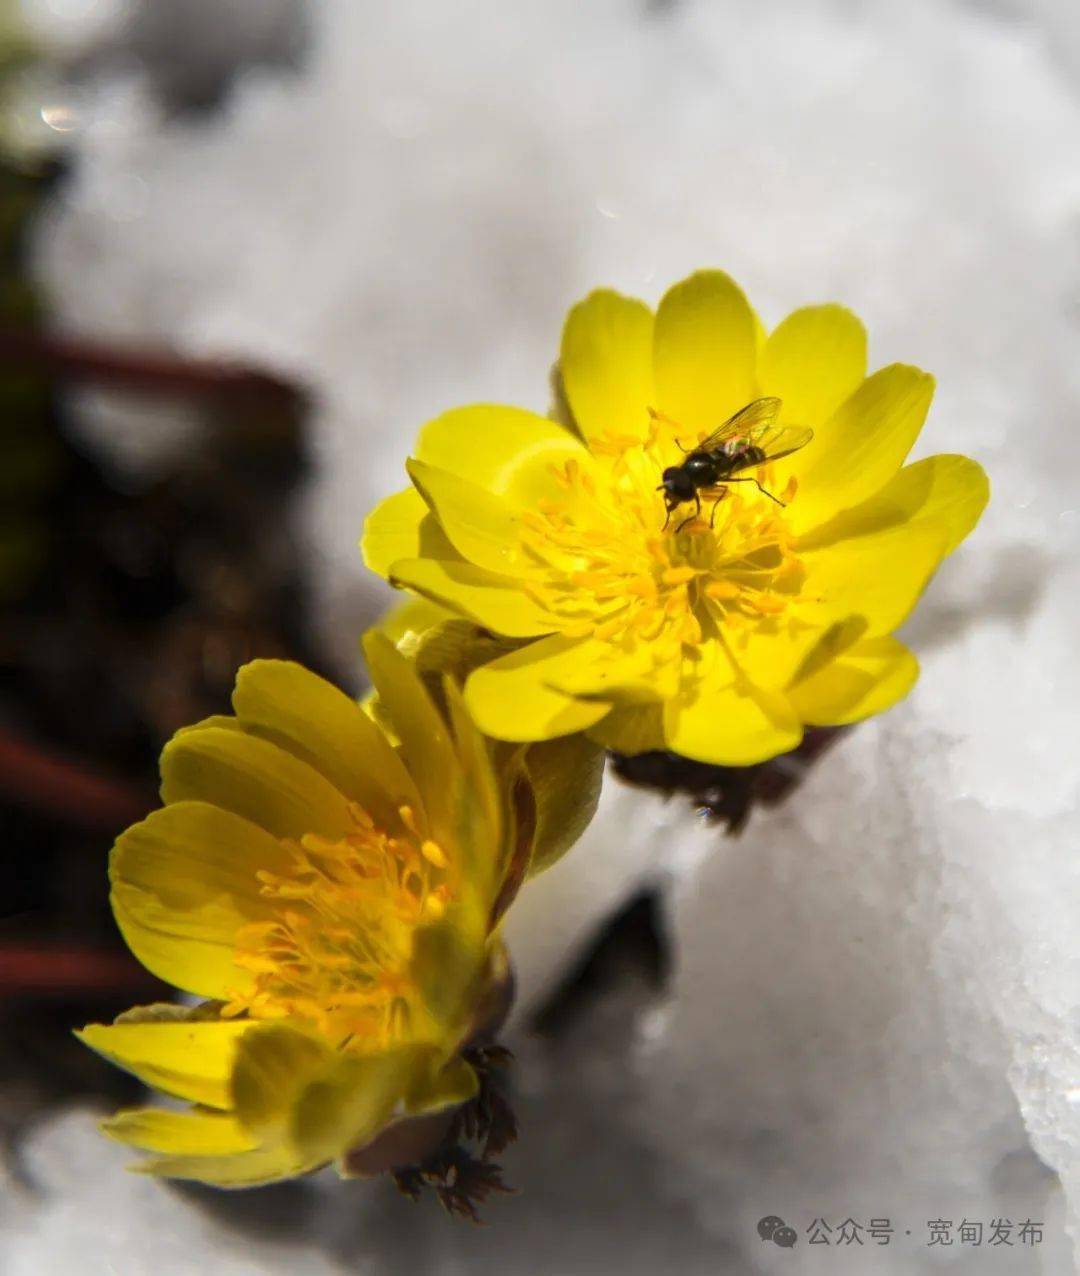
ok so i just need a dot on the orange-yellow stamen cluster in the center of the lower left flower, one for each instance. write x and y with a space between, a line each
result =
339 949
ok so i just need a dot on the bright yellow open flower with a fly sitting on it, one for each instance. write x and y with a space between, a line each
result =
718 637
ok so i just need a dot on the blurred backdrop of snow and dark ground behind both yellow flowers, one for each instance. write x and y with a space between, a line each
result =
247 248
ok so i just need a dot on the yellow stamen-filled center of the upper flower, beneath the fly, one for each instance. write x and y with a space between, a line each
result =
608 567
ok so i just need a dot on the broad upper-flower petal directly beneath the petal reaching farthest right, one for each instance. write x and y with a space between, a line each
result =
879 577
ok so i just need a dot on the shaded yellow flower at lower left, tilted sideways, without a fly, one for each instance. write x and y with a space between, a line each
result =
335 894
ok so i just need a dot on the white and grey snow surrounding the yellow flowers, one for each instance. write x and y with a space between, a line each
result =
875 1004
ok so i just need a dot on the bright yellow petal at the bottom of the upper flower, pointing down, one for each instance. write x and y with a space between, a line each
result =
730 723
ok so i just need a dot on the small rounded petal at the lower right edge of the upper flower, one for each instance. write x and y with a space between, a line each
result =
867 679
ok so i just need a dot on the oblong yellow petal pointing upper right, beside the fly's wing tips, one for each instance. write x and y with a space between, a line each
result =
857 452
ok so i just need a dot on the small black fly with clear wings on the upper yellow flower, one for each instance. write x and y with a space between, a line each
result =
745 441
